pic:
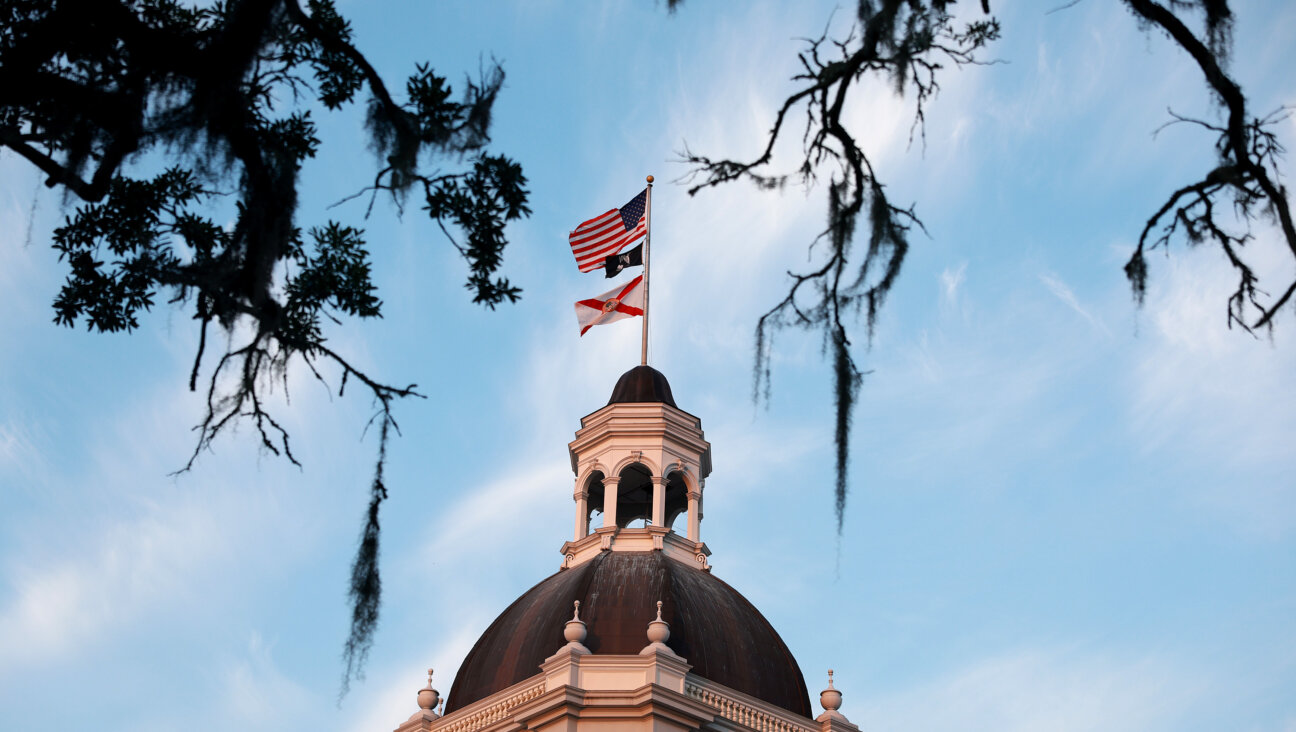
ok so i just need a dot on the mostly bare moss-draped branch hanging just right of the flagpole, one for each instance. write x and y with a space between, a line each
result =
907 43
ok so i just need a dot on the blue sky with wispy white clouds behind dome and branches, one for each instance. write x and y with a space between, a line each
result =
1066 512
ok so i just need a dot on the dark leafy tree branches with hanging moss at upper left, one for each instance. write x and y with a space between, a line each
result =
91 91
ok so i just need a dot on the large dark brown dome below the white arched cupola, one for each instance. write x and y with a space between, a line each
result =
723 635
